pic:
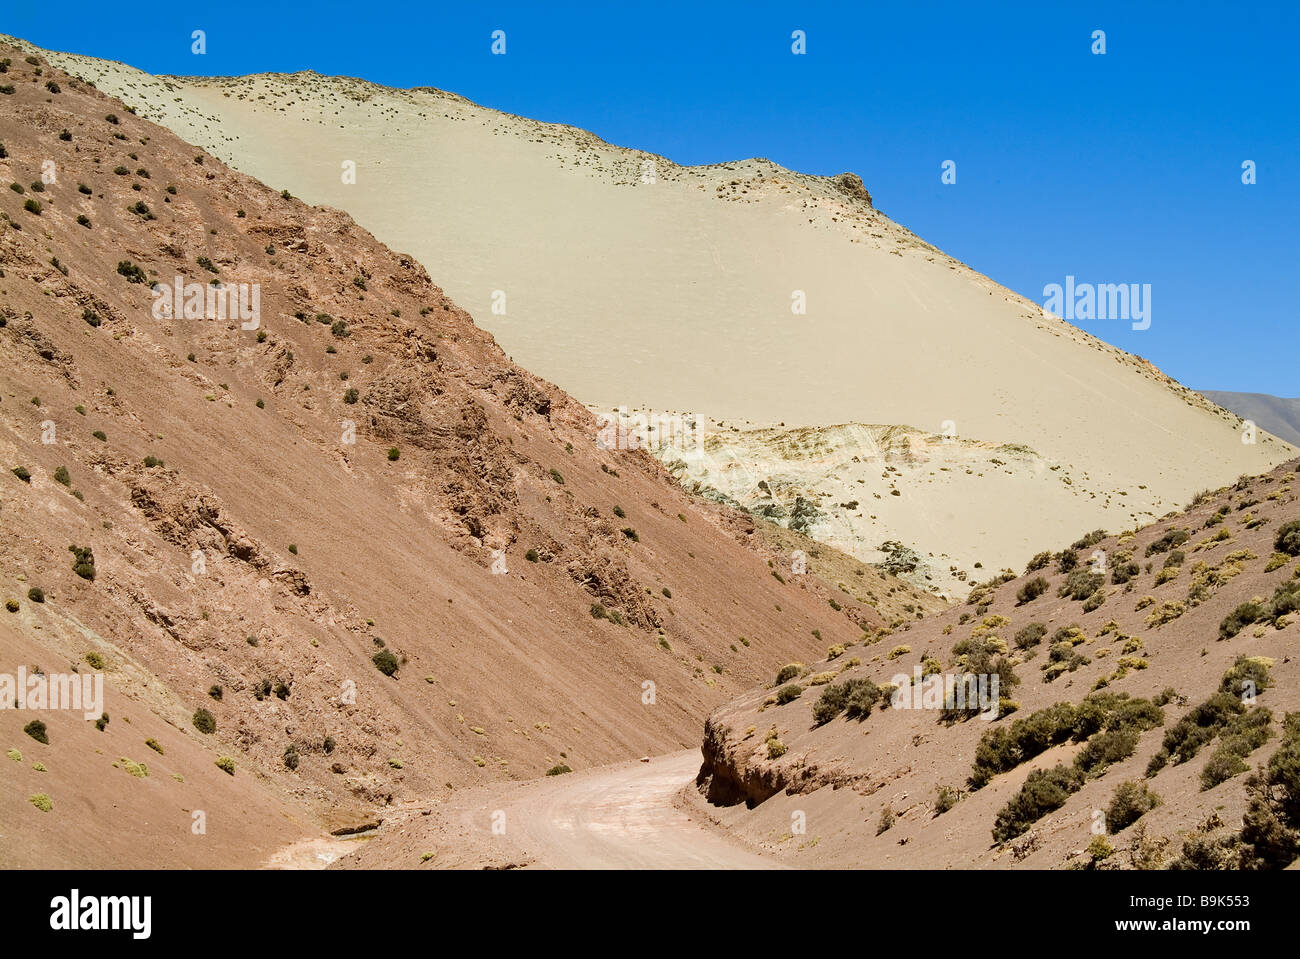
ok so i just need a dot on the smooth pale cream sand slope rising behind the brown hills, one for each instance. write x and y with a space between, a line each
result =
677 294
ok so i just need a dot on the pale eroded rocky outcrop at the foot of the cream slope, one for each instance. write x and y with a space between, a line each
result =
930 507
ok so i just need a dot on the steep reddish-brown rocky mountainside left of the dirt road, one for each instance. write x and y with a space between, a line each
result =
340 545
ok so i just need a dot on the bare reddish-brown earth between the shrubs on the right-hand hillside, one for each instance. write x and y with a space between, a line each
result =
835 780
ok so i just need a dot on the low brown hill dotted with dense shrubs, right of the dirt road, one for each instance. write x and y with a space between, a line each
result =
1136 667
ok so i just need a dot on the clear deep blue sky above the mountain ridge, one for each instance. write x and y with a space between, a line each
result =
1117 168
